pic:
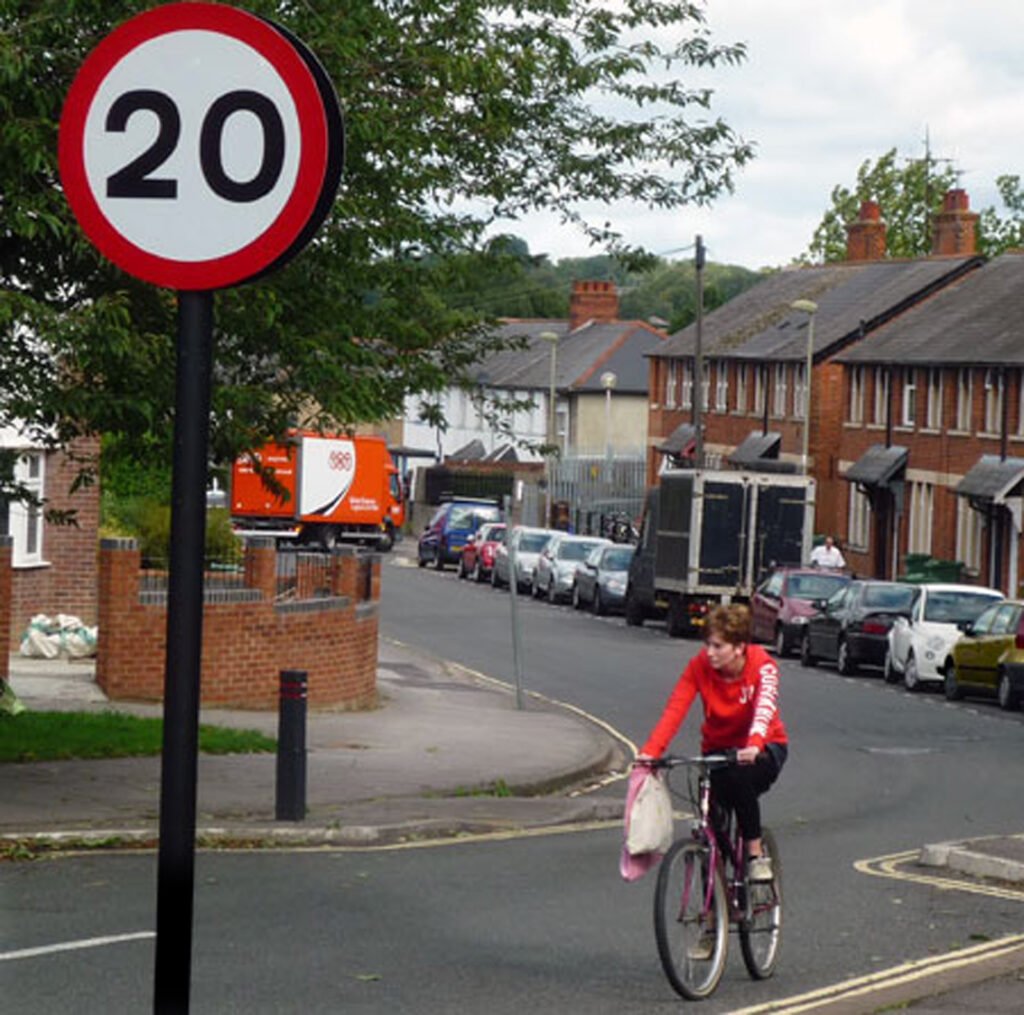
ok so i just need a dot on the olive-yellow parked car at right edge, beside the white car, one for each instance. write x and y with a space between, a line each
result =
990 658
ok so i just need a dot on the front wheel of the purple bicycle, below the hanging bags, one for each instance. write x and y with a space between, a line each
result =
692 920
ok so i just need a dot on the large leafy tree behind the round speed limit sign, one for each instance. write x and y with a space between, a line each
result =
459 113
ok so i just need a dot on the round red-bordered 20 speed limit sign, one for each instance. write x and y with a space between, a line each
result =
200 146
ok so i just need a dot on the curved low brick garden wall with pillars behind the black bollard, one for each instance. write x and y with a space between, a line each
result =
245 645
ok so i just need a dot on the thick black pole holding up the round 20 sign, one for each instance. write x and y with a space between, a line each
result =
176 875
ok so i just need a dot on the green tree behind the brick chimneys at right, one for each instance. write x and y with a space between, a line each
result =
910 193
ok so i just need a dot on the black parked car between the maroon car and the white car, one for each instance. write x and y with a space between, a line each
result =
851 628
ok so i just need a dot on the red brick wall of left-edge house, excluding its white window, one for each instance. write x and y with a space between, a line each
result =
67 583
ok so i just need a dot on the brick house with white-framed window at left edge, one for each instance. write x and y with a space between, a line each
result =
54 567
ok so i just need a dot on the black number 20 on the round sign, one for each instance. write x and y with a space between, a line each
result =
135 181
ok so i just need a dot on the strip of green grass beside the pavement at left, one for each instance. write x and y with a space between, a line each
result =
62 736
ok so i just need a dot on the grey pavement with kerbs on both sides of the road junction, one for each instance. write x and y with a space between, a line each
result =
448 753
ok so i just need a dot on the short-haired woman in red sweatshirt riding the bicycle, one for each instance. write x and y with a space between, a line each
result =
739 687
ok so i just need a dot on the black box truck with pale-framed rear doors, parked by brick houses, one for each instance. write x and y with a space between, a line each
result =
709 537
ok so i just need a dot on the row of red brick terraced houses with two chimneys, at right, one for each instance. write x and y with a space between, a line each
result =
916 396
